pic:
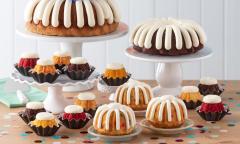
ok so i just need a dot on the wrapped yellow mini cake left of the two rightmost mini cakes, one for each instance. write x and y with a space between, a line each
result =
191 96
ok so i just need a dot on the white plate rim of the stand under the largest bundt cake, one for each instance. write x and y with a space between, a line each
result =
120 32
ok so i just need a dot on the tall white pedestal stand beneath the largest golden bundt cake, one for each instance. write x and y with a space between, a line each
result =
74 46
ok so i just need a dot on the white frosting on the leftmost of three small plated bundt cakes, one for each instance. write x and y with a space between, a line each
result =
116 108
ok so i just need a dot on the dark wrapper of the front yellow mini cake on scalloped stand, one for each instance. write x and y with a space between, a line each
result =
42 78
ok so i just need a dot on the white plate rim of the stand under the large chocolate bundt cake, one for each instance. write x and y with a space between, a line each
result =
205 53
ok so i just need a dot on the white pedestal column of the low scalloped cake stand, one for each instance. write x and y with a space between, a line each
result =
55 102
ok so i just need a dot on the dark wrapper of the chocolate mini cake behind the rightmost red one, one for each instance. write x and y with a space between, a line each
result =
212 89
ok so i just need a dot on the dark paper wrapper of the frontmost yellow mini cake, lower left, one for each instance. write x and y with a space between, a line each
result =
48 131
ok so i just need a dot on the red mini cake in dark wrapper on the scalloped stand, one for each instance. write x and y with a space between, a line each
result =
27 62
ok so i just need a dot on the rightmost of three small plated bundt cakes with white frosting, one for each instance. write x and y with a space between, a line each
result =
166 112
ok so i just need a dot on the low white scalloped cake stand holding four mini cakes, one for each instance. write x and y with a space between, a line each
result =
55 101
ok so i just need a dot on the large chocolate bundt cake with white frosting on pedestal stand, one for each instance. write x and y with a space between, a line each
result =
169 37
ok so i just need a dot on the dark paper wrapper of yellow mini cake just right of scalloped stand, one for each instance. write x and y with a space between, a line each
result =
117 81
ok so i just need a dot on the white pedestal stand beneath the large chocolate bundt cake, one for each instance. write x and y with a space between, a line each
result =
169 70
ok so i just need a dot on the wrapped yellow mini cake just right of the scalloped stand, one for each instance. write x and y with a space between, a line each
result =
115 74
